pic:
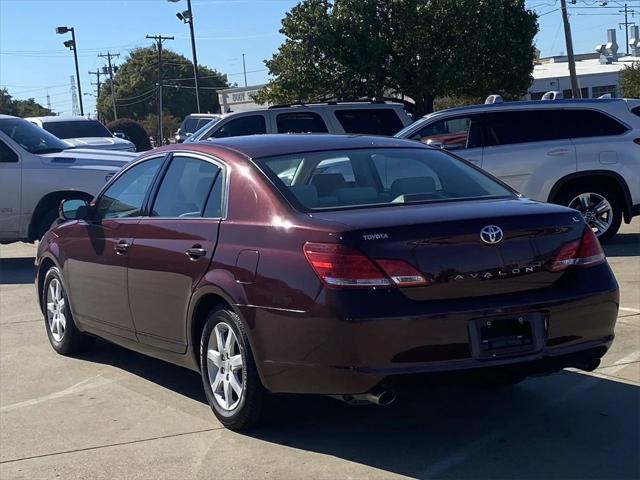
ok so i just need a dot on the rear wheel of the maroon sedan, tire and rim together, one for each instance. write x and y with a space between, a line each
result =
229 375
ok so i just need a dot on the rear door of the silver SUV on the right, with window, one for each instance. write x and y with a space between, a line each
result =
529 150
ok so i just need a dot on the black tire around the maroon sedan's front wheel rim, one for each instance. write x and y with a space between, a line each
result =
71 340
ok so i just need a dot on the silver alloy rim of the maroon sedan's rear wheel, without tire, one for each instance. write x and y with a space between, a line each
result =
225 366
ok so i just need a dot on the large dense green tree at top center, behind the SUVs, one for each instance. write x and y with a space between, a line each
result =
420 49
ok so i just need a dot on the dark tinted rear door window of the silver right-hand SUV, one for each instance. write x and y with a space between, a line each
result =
507 128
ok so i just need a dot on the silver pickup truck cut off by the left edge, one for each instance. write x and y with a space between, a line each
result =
38 170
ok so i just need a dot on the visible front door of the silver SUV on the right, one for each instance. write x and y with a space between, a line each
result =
461 134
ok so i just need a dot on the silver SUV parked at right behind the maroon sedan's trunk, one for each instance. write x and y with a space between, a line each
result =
580 153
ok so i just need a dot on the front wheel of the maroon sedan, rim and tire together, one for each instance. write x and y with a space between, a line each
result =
64 336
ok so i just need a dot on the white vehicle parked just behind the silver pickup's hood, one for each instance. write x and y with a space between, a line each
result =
83 132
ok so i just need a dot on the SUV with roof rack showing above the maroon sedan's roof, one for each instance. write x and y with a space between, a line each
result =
371 118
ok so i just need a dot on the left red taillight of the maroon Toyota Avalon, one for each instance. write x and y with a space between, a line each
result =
341 266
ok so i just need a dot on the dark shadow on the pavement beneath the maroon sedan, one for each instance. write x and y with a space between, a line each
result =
566 425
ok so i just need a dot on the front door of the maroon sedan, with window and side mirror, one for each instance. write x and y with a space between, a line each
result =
98 252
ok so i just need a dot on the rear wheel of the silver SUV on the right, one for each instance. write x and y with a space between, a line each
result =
600 206
